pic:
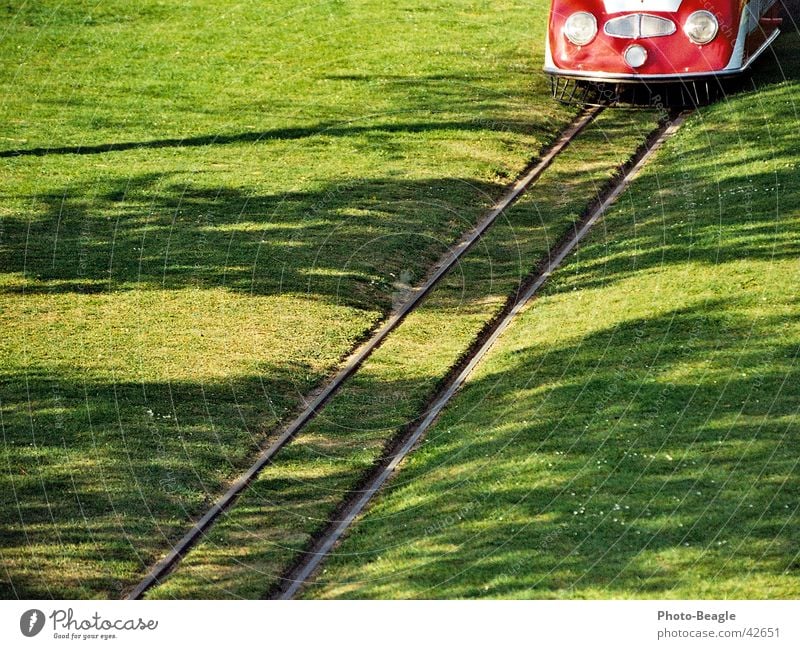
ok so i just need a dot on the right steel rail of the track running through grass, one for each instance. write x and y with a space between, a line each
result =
328 540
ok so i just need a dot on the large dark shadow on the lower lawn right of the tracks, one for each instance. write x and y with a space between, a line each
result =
604 479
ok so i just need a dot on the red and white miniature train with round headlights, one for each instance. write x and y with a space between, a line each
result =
656 41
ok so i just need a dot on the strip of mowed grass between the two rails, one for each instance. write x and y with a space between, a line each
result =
254 544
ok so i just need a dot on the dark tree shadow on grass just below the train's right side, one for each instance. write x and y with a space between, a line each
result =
710 201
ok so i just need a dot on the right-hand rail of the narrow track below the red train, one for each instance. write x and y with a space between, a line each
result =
299 575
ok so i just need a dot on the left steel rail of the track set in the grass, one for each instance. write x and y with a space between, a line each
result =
449 260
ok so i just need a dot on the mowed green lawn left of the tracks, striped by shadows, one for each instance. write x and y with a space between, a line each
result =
203 207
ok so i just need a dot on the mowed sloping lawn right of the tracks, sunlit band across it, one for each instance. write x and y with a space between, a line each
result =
635 433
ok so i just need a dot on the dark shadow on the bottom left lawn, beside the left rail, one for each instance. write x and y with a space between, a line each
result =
101 477
